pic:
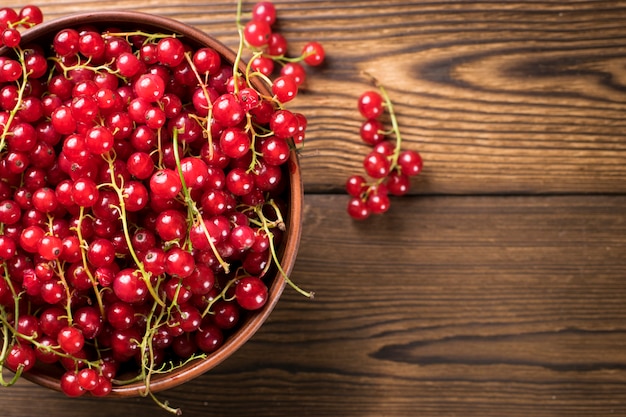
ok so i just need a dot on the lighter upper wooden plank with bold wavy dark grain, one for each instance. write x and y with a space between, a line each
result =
522 97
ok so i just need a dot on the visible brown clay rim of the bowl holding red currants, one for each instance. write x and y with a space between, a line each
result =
127 20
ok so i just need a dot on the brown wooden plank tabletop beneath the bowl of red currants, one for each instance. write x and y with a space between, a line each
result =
498 287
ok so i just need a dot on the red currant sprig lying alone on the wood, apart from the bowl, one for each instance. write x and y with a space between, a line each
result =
388 165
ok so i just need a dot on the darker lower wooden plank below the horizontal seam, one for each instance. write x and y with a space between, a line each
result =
445 306
